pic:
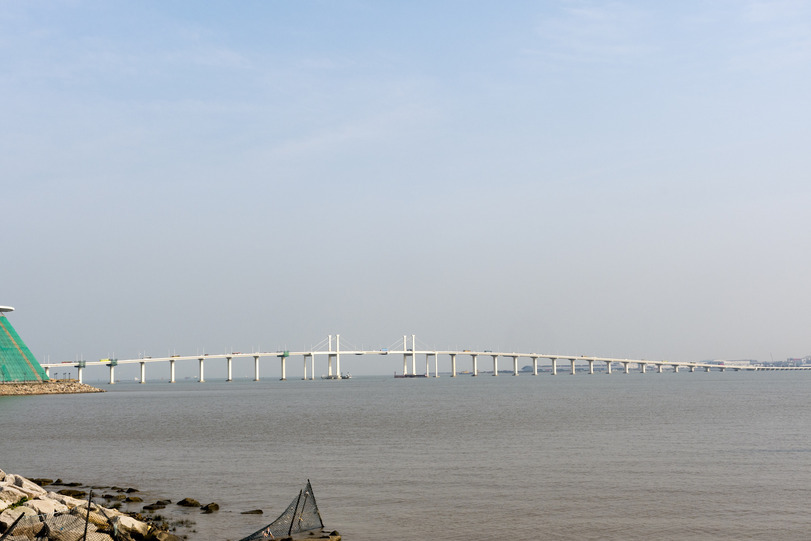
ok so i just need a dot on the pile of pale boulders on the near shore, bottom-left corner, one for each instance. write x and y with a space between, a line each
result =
35 513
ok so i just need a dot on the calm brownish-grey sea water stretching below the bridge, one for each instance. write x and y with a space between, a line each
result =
655 456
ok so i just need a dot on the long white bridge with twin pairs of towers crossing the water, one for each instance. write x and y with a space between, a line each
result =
333 353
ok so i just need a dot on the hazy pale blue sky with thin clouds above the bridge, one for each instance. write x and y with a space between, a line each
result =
626 179
